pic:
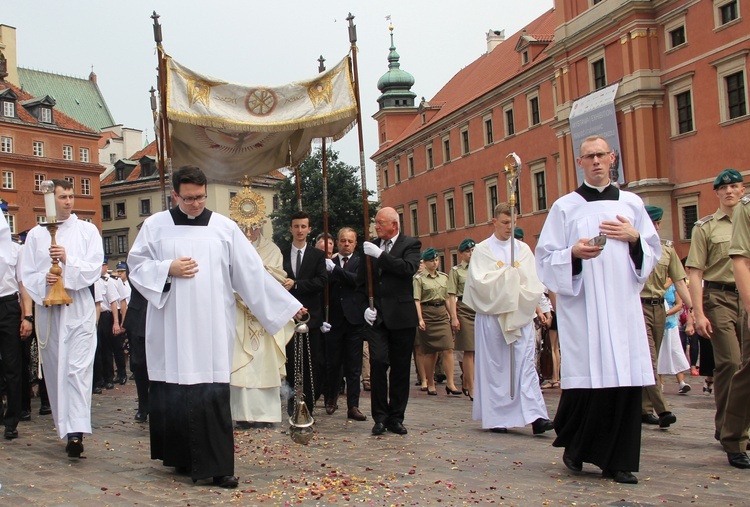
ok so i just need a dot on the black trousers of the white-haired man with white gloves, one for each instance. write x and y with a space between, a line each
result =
389 350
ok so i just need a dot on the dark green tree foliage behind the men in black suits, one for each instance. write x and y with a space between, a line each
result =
344 198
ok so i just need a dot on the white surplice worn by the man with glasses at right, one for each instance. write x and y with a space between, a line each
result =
599 316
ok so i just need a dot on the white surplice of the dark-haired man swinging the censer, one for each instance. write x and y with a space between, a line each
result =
190 328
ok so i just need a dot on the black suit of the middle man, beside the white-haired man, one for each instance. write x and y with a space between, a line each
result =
344 340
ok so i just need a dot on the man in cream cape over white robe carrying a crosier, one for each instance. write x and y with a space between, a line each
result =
506 393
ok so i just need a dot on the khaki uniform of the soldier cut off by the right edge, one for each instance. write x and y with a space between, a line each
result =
734 436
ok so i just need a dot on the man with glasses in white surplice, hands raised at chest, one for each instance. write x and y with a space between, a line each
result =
604 348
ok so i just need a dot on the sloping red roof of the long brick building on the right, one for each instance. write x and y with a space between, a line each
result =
484 74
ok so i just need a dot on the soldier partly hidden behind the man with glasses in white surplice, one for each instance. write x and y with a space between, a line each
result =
652 302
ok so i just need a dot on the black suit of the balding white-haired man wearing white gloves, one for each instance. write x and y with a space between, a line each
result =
391 339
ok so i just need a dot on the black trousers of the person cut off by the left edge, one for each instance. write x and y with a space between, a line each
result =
11 352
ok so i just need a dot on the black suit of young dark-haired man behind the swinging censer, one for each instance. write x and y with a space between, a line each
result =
309 284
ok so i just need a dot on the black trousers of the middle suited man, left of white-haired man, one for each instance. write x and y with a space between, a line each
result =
344 350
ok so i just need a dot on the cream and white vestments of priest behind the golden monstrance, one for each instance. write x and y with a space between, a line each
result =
259 357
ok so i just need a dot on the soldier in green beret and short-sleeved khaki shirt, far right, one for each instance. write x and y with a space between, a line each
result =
716 302
